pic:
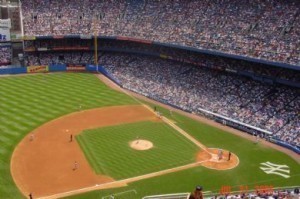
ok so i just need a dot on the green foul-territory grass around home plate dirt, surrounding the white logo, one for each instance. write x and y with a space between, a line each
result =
247 173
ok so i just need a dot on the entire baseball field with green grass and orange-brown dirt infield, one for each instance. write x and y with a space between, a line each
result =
70 135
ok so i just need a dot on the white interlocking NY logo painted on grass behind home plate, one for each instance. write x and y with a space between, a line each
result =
271 168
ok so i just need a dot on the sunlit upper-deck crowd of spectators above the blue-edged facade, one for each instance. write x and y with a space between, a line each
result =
262 29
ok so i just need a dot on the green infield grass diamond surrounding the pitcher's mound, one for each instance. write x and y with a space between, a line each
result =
109 153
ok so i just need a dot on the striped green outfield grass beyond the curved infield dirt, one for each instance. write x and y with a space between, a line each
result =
26 102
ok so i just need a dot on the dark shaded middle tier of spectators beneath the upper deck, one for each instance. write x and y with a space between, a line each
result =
181 55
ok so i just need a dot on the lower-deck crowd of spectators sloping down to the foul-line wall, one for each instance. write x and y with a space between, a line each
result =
272 108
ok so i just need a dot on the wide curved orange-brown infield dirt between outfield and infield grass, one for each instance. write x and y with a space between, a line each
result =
43 163
